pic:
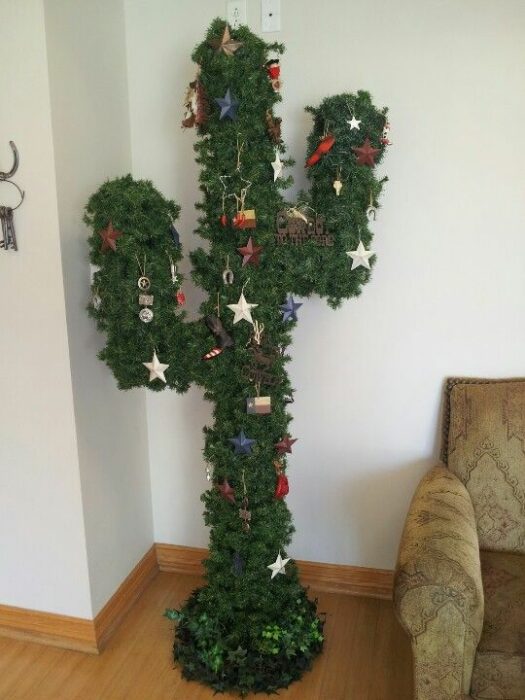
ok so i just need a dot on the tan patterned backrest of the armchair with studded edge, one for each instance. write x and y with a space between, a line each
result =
484 445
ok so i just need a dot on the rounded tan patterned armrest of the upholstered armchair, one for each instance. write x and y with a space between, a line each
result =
438 591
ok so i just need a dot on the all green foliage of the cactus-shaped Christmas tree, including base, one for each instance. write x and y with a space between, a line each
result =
242 631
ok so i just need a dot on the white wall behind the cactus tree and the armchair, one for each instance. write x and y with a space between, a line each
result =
448 291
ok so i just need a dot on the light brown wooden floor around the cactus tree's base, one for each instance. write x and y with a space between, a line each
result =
366 657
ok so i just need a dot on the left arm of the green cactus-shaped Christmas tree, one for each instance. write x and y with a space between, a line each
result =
144 217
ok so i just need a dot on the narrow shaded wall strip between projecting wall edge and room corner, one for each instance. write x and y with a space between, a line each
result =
89 100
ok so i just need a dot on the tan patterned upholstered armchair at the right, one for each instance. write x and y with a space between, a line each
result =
459 587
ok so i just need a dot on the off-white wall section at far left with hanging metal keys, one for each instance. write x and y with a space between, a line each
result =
43 561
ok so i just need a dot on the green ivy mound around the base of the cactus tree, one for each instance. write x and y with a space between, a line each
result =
240 655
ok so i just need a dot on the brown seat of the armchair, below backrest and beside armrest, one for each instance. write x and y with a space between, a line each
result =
499 667
